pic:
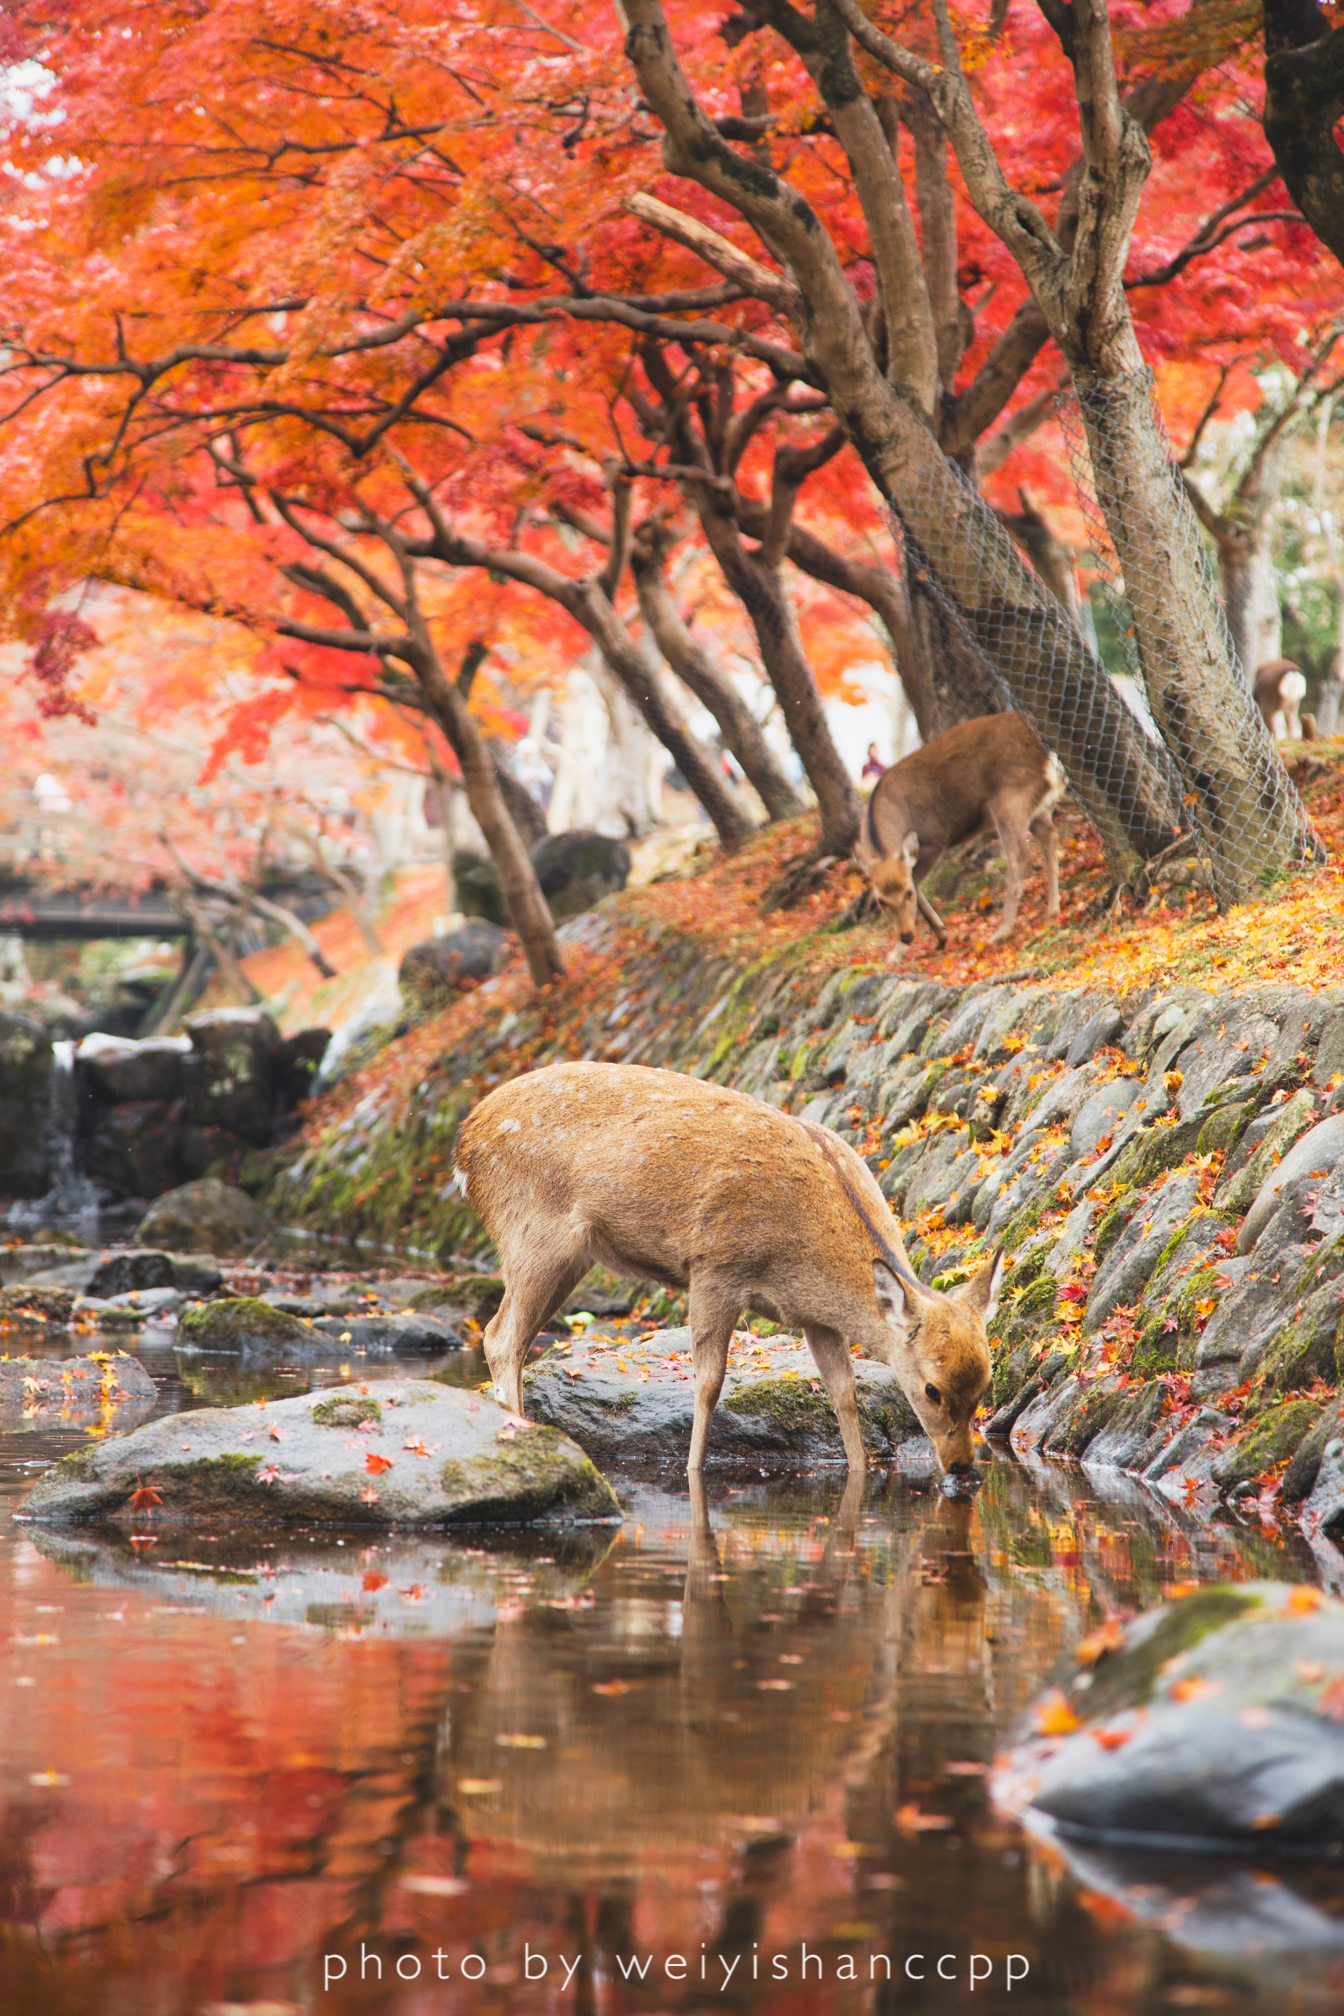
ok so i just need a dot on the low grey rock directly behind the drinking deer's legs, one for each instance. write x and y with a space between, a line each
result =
640 1400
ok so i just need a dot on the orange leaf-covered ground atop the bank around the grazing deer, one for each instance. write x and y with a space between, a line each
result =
1295 934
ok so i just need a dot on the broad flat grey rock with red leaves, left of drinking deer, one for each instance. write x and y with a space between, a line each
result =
398 1455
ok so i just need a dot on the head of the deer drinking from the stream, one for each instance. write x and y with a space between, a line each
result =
942 1356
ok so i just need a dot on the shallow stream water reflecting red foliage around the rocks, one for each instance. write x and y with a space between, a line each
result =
743 1735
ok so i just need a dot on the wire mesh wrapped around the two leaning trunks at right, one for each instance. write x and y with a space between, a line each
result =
1188 763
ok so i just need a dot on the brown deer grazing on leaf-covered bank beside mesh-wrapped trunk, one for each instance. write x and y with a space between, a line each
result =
990 773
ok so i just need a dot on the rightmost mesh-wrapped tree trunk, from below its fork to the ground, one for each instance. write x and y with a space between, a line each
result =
1248 820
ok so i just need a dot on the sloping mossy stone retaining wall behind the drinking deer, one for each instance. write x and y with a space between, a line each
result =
1166 1172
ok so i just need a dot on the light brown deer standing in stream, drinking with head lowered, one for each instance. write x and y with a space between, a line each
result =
698 1188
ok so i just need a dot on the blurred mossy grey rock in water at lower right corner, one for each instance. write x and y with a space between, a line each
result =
1214 1723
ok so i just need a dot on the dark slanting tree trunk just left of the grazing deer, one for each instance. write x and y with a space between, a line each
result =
763 596
